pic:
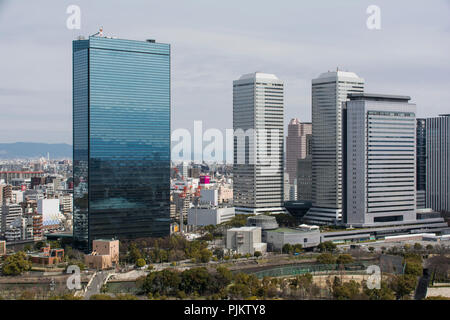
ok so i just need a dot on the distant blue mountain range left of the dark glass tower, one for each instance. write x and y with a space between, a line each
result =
31 150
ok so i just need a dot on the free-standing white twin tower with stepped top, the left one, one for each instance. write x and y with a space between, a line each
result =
258 113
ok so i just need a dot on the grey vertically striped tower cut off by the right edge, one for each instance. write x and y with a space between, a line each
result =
438 163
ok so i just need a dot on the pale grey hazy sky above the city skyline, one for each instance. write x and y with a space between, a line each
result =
213 43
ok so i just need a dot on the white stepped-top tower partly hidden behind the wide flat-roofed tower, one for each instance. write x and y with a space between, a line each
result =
329 92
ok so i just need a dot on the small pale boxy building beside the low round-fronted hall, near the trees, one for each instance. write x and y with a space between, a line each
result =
245 240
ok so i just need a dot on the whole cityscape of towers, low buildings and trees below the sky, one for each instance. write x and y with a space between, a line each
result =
352 205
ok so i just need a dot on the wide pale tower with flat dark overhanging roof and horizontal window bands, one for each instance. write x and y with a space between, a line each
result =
381 160
